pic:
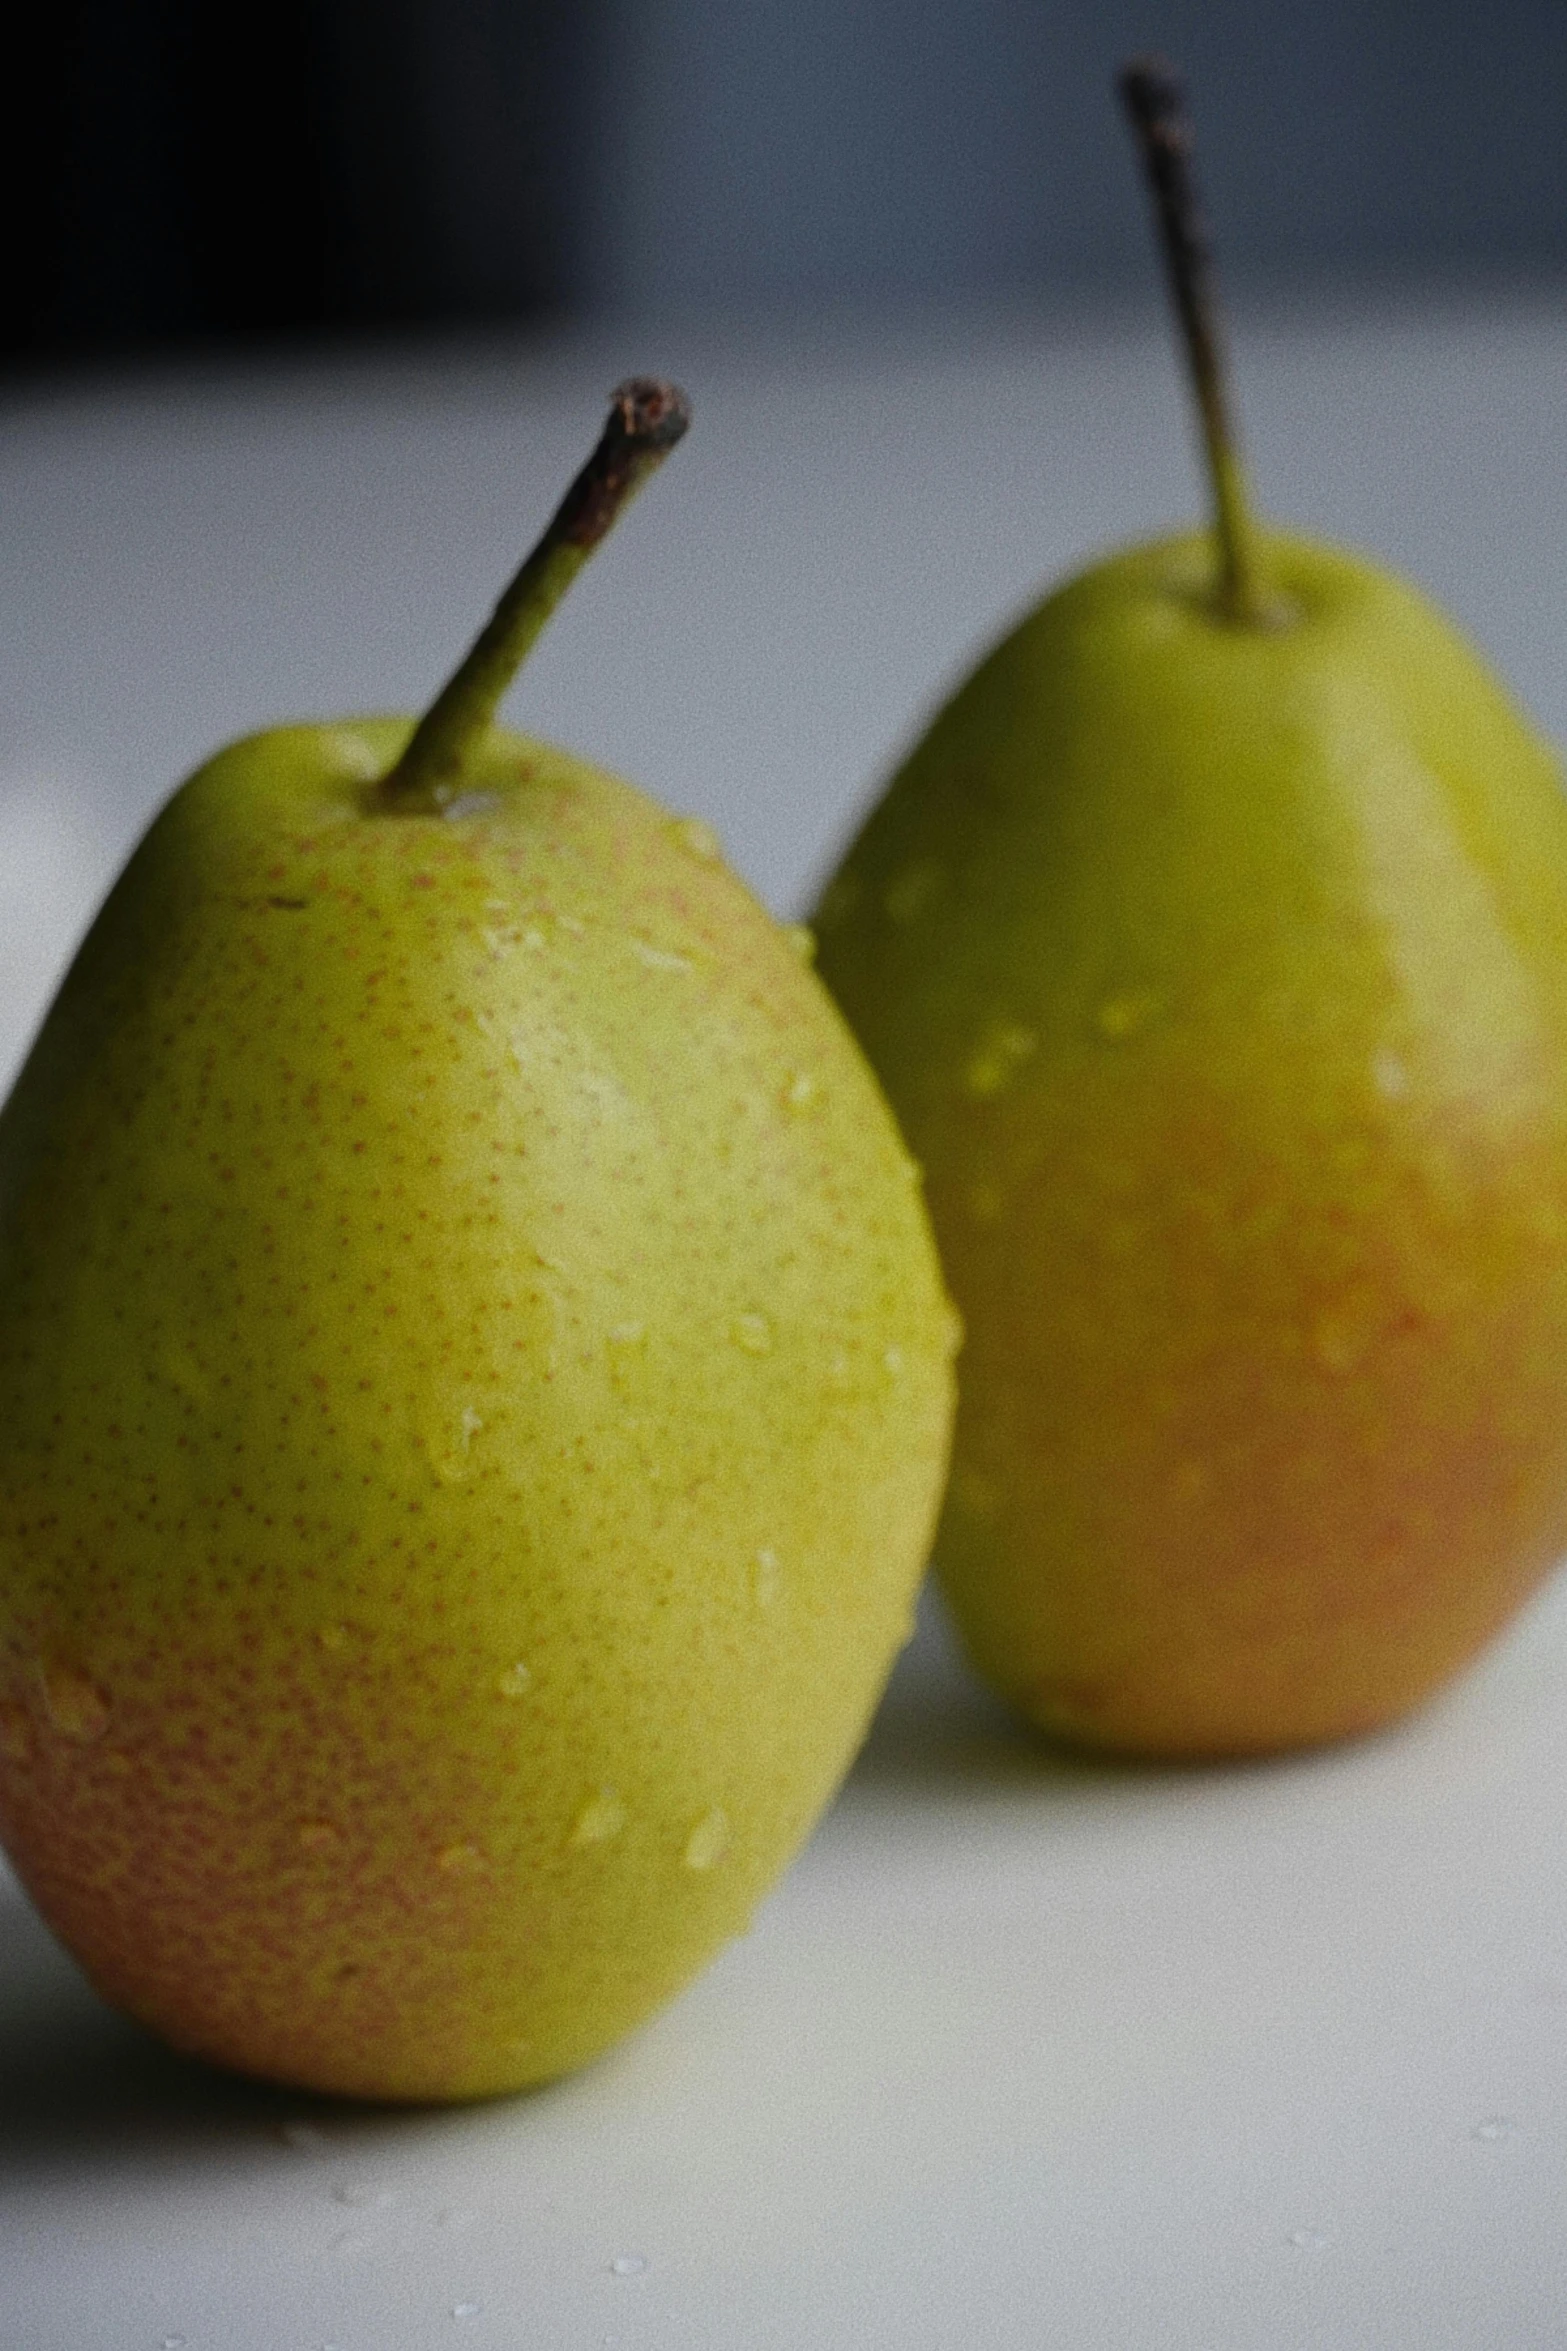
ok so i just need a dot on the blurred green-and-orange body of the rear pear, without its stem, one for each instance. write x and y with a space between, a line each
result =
1220 984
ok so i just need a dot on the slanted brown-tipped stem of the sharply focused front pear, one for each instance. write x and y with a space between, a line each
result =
645 422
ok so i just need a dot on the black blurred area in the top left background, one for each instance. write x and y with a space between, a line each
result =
191 175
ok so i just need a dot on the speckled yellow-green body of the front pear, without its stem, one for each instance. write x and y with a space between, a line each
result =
473 1407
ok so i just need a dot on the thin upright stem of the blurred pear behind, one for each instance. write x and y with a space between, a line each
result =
1157 105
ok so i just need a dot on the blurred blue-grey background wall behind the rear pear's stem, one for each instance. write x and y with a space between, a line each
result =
833 152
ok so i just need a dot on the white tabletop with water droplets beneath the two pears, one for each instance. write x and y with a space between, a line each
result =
1023 2051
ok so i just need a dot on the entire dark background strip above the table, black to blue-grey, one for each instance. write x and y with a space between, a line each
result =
194 175
